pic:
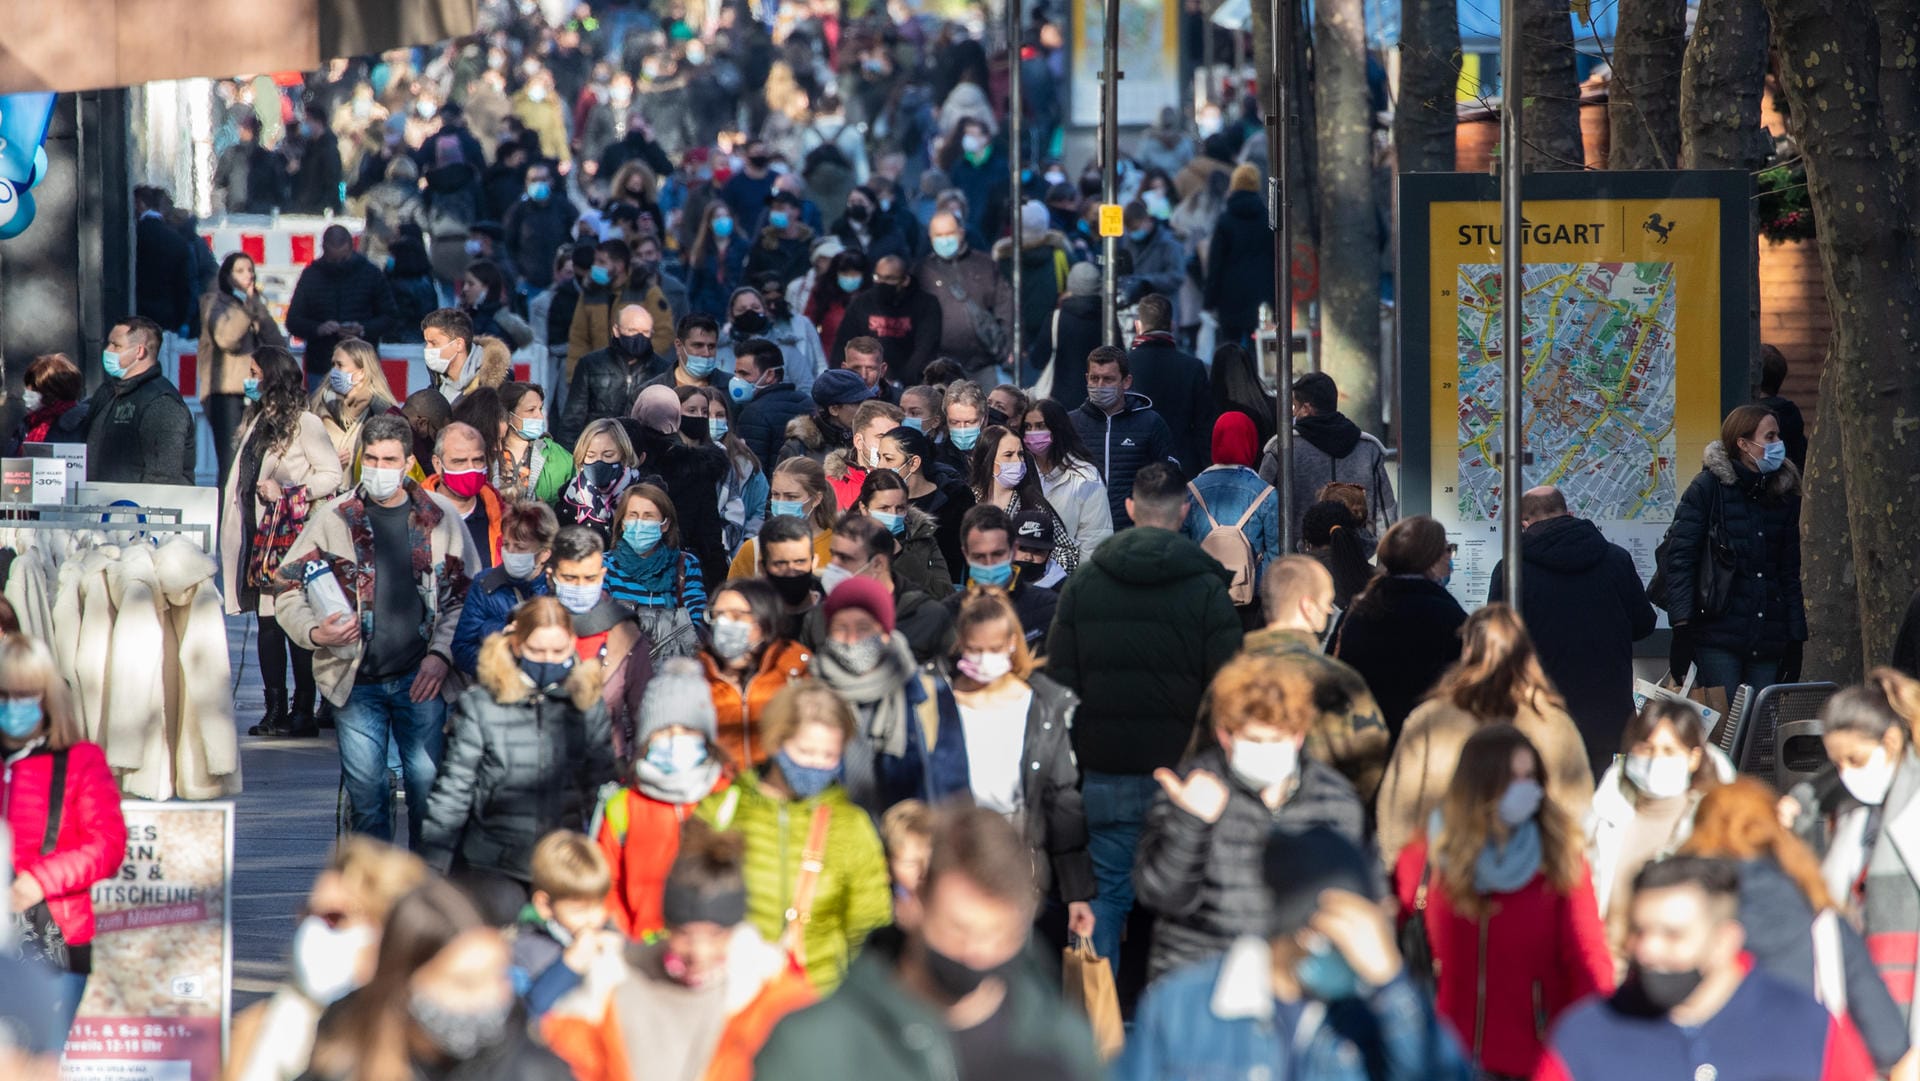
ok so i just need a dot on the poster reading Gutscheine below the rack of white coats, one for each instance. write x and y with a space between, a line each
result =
158 1001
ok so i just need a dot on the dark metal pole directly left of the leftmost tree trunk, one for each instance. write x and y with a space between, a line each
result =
1280 155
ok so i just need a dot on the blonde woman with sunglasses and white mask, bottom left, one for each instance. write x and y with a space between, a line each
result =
335 951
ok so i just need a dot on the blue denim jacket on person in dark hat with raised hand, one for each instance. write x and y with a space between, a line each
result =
1216 1022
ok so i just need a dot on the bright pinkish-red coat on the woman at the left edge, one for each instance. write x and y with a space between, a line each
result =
93 836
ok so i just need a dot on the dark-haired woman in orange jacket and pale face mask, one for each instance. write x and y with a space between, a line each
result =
748 663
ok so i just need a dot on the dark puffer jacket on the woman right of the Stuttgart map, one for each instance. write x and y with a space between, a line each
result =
1762 512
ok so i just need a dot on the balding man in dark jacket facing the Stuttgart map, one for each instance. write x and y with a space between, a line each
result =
1585 610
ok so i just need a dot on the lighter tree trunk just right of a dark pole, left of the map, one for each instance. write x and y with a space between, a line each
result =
1349 224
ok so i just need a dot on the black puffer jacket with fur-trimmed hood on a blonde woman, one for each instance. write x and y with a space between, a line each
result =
519 765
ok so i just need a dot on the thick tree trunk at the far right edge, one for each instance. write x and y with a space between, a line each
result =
1829 70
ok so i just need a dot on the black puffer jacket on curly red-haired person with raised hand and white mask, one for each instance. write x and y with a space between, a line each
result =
1203 880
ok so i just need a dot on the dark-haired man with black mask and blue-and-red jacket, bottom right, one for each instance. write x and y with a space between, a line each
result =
1691 1007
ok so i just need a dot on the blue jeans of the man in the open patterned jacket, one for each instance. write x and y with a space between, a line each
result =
375 715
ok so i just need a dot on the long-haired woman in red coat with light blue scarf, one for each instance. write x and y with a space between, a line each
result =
1508 905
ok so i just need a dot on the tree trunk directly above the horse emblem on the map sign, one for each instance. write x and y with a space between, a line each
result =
1644 95
